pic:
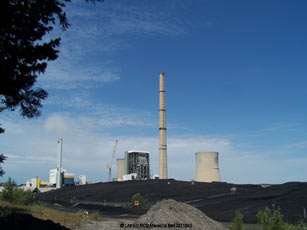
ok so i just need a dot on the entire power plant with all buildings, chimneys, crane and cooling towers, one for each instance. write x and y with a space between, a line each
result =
135 165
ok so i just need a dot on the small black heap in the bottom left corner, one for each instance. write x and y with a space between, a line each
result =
17 221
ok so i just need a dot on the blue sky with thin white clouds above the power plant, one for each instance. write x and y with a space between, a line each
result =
235 75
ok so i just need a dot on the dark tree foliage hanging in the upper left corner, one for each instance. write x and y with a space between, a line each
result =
23 52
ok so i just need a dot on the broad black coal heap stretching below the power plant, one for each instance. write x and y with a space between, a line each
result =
214 199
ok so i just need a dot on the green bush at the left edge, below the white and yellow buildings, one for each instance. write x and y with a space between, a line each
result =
11 193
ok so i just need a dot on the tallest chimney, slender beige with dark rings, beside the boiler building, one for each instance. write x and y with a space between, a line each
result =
162 131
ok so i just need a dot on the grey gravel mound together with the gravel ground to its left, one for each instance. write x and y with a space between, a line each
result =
164 215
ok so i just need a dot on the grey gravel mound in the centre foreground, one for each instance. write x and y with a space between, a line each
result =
170 214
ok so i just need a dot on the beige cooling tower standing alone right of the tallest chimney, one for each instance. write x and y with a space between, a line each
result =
207 167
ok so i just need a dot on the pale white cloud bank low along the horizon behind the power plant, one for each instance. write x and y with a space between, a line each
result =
87 152
